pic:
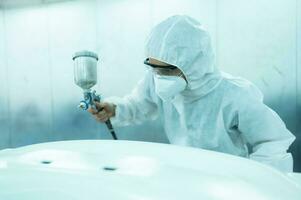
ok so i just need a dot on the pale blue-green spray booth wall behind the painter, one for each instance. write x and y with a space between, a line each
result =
257 39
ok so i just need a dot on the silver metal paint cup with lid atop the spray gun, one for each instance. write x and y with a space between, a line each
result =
85 69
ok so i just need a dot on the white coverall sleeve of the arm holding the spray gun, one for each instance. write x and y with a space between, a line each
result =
138 106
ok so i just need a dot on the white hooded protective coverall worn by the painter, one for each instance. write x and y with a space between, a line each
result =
216 111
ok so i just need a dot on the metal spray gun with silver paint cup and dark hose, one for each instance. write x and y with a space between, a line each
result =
85 76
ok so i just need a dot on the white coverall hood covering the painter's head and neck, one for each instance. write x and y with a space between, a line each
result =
180 41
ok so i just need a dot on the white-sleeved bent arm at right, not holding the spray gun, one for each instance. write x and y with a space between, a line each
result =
265 132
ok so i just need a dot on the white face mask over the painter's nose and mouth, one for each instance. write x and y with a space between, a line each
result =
167 87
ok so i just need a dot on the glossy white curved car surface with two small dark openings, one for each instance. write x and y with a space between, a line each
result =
143 171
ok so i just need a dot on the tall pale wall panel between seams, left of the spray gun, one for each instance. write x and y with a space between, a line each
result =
28 74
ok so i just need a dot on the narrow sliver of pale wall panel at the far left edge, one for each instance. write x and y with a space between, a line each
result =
4 118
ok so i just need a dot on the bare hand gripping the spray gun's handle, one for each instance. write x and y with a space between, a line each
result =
103 111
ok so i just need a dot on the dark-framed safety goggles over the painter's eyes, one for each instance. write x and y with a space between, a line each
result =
168 70
